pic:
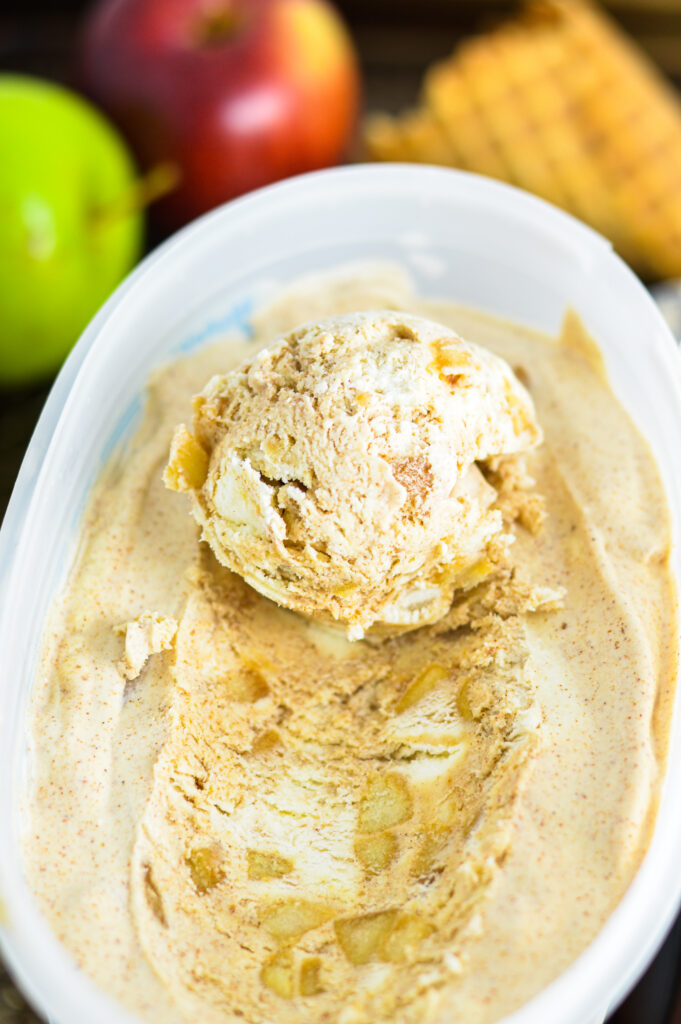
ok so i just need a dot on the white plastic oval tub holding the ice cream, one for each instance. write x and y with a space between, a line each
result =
462 238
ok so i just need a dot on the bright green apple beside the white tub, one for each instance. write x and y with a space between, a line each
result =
68 235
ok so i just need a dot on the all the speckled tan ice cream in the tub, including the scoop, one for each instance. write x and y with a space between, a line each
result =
369 723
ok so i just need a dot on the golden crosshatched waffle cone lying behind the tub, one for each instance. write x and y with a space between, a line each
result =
559 102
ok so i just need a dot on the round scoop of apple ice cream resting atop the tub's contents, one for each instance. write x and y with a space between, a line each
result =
337 472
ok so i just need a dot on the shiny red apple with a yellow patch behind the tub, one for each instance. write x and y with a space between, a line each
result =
238 94
